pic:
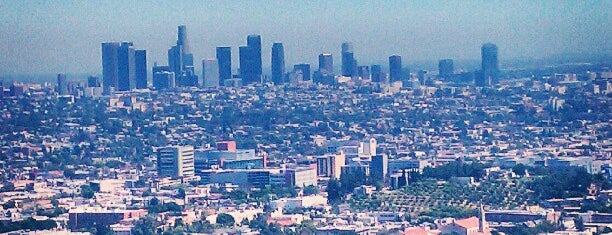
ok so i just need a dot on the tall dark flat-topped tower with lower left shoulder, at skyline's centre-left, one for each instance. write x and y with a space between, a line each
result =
250 60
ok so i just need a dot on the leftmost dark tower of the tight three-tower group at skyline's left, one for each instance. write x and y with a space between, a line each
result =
109 66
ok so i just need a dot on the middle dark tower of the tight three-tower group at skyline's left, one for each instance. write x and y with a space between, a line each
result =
126 66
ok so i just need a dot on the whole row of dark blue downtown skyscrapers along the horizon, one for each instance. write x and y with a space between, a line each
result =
125 68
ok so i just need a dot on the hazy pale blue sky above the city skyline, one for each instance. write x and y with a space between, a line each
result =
65 36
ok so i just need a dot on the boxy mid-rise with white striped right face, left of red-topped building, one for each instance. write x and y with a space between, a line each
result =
175 161
